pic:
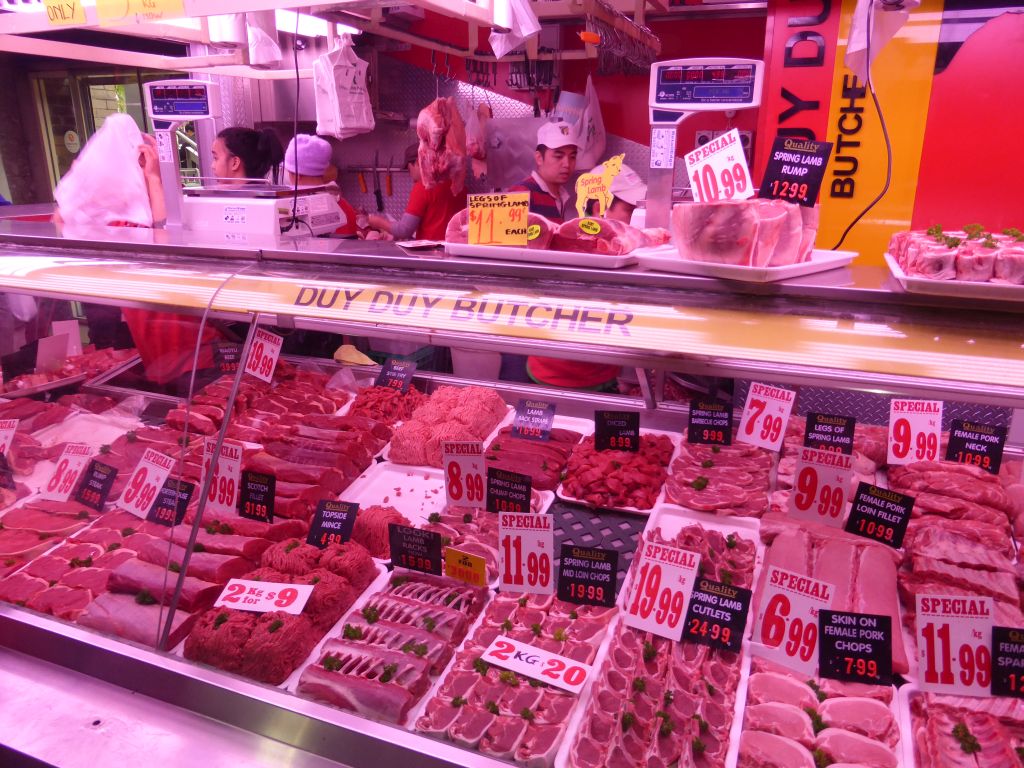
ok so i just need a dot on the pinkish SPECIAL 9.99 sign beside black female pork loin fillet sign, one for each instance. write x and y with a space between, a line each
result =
823 481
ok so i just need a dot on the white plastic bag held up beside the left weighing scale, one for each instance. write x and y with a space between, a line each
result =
106 183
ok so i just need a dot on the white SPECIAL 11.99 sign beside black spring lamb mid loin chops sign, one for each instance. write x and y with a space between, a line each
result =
526 552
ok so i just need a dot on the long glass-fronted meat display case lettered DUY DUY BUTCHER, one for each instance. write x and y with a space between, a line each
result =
771 540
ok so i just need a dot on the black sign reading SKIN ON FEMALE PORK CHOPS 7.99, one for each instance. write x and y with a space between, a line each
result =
856 648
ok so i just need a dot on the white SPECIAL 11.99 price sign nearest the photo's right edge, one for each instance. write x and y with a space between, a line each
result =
955 645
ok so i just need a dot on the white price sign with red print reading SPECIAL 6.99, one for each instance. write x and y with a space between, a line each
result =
787 626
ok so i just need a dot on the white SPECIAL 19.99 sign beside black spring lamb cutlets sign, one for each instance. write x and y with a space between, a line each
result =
661 588
